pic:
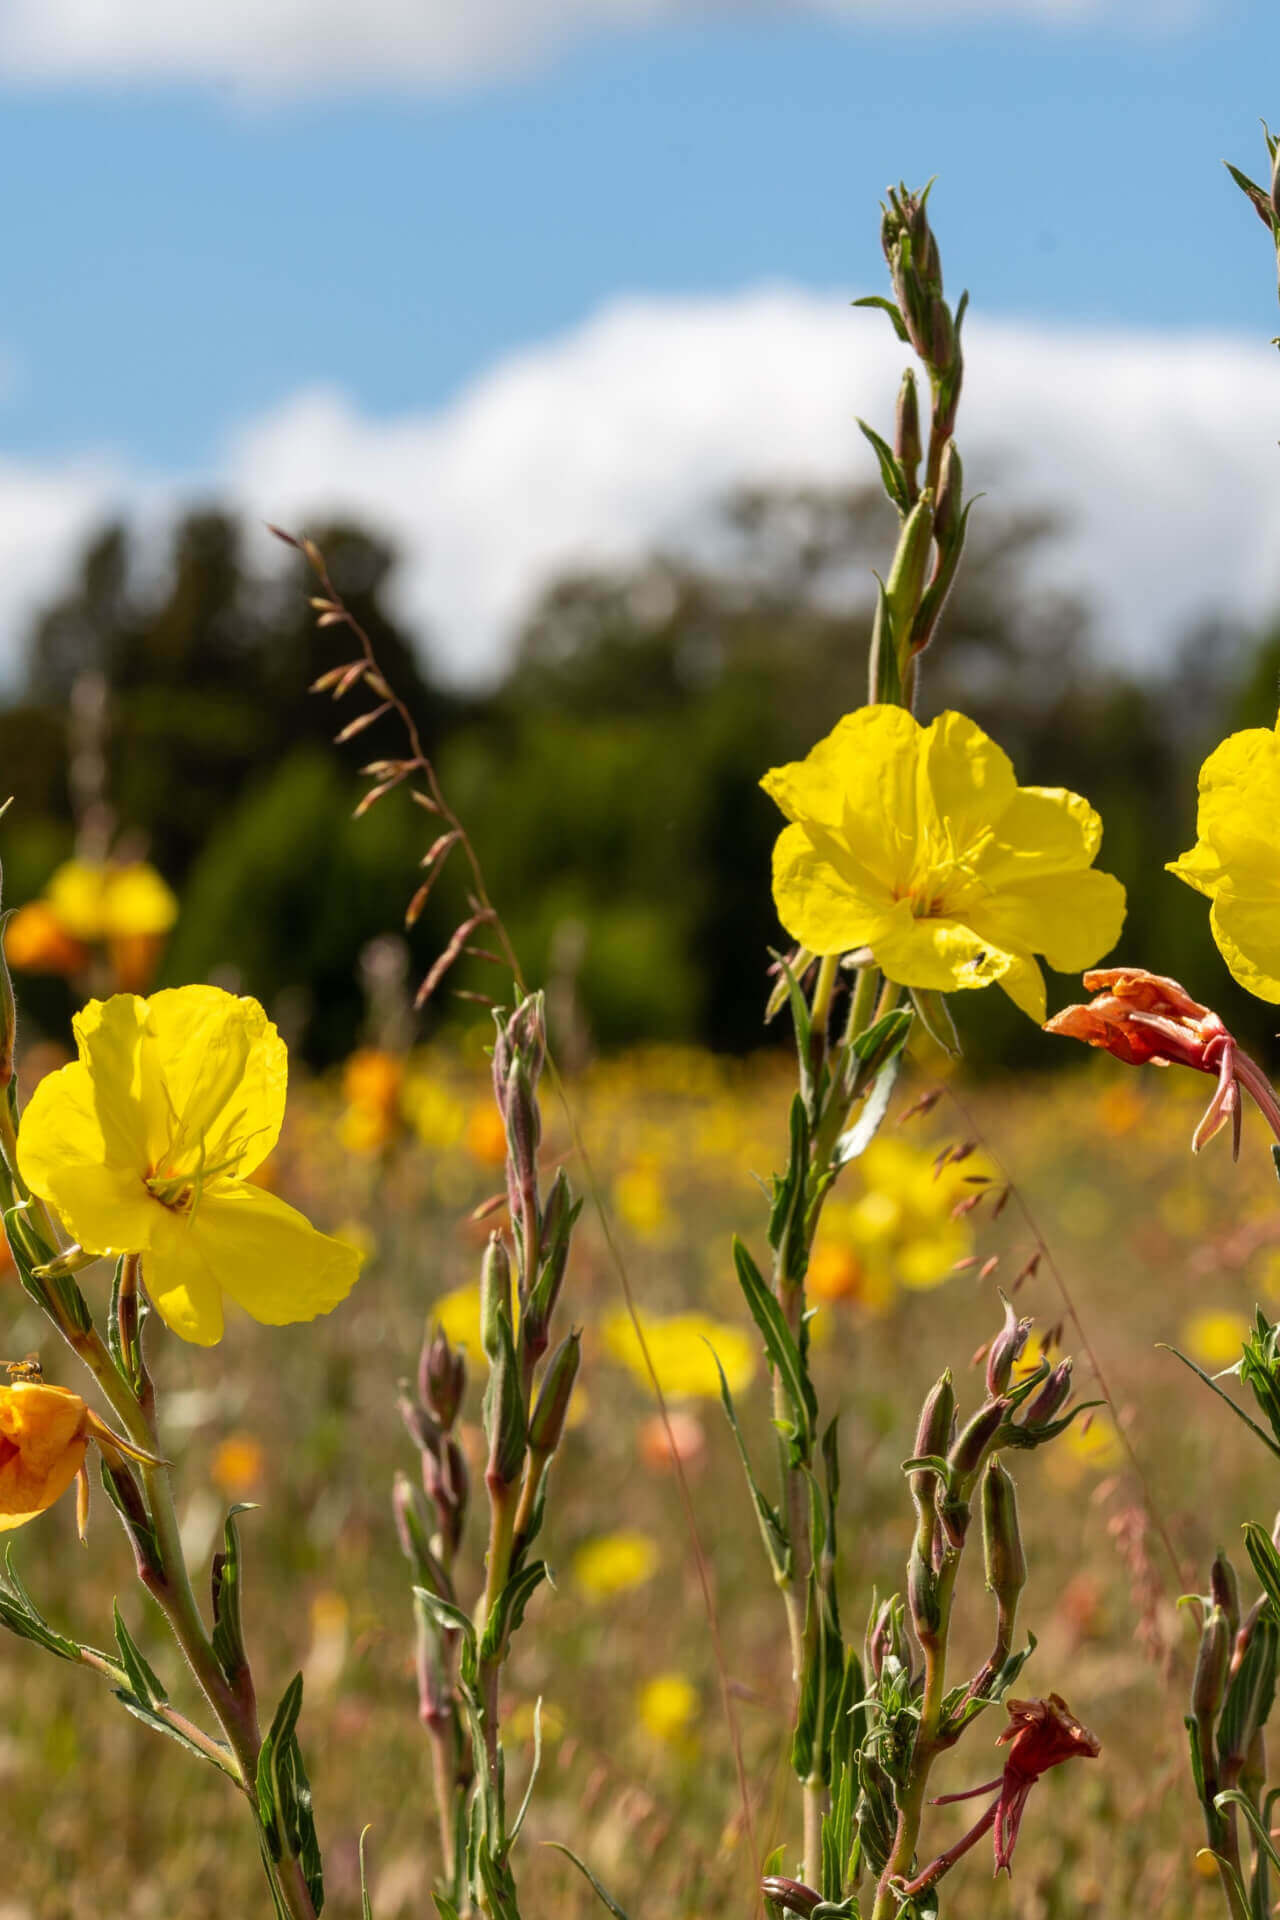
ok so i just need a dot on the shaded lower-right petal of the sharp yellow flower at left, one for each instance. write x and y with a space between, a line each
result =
270 1259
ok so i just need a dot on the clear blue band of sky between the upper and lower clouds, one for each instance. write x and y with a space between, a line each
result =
181 258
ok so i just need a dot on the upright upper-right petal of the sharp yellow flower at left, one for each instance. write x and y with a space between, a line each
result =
214 1076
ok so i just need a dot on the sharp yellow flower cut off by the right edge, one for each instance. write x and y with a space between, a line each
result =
1235 855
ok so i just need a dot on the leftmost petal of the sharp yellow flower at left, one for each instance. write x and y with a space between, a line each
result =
64 1159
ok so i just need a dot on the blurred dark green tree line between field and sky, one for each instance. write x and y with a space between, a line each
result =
611 782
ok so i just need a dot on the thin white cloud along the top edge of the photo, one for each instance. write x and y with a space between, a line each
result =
296 45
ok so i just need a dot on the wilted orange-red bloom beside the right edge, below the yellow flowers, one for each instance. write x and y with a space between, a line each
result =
1149 1020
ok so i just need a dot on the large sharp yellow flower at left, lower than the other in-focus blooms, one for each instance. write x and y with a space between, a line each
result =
145 1147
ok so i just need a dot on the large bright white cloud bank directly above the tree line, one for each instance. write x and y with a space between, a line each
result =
1160 450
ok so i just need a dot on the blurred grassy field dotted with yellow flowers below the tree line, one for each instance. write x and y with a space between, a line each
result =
638 1769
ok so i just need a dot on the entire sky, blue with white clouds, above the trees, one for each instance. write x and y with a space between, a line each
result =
527 283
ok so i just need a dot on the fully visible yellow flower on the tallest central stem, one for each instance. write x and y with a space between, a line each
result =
920 844
